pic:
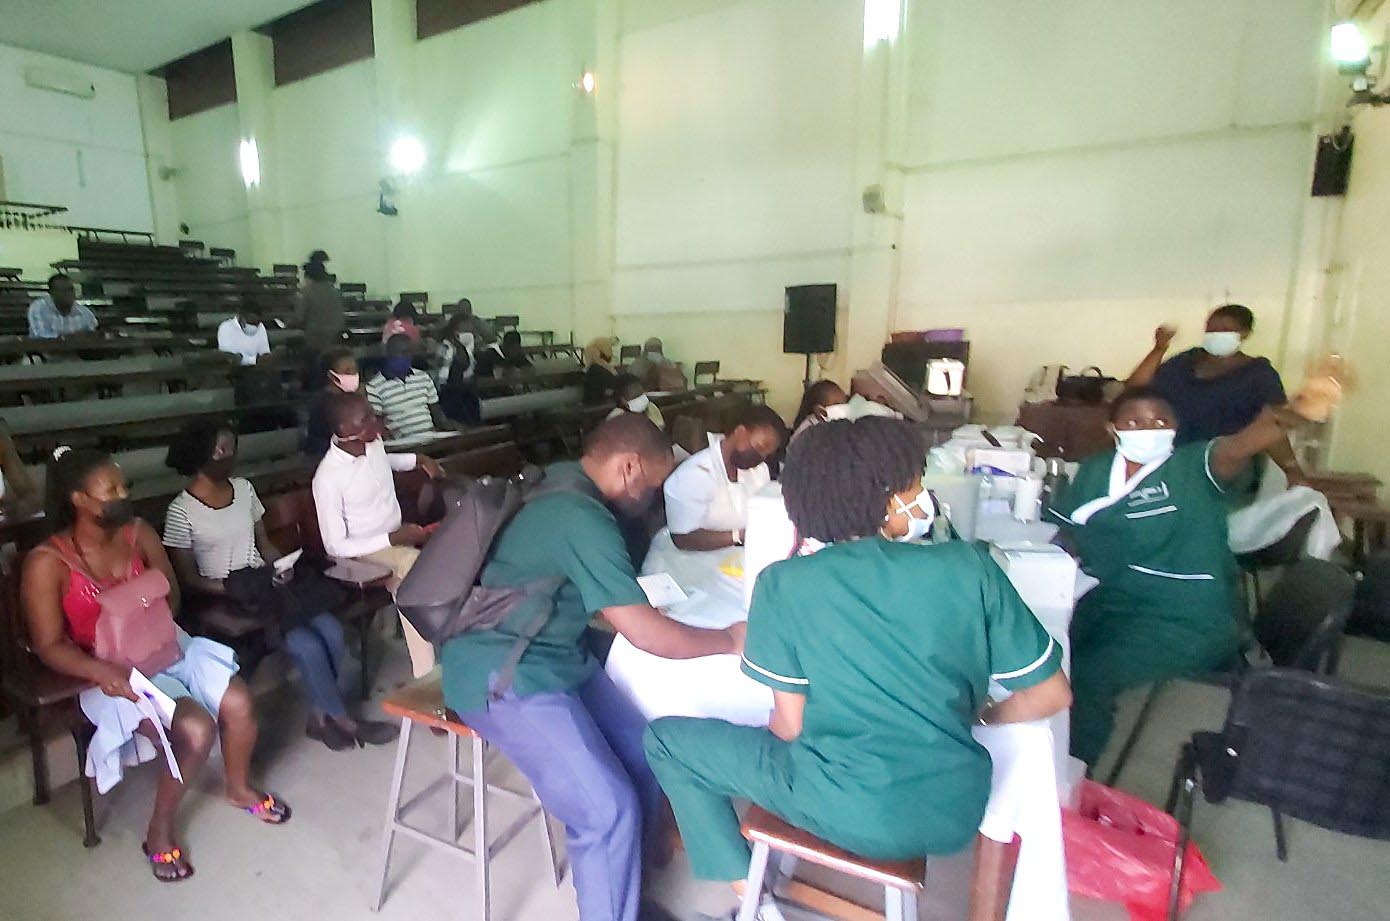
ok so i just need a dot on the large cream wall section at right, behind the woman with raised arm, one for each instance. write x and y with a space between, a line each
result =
1082 173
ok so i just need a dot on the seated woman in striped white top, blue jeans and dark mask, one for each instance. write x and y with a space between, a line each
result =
218 538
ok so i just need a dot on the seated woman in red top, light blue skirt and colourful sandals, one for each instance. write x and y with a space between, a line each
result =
99 548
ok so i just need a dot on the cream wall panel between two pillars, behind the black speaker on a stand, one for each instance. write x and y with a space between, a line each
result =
736 163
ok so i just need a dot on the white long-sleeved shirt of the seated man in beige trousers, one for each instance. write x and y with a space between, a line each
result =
357 499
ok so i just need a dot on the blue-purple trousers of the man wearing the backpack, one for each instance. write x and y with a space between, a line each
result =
583 754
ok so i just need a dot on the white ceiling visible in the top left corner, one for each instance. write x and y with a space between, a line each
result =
130 35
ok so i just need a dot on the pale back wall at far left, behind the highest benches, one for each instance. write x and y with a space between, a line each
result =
87 155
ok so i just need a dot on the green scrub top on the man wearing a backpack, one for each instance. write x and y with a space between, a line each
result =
562 534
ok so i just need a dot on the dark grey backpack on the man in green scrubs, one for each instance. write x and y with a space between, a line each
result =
441 597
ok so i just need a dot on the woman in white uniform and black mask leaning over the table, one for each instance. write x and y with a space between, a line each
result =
707 498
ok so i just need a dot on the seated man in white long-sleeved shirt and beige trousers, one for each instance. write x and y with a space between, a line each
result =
355 497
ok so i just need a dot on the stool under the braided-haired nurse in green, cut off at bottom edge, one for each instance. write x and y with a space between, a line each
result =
901 880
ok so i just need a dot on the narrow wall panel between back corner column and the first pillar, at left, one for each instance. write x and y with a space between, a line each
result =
208 185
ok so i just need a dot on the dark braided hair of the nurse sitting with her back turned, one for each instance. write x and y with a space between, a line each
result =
840 474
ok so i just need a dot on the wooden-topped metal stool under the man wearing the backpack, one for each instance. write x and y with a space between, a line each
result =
423 704
